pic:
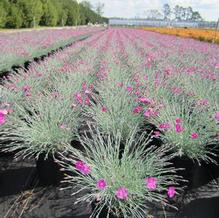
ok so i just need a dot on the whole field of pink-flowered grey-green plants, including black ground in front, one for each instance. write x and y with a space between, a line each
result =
121 123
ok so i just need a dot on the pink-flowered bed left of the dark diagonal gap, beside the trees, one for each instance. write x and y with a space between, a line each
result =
17 48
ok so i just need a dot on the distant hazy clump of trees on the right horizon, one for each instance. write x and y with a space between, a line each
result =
177 13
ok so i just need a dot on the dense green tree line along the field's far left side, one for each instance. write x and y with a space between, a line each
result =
32 13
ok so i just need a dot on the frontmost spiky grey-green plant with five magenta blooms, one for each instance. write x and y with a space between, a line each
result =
120 187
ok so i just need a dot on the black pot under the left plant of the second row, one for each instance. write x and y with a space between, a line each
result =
49 172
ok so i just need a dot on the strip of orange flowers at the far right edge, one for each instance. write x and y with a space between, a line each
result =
207 35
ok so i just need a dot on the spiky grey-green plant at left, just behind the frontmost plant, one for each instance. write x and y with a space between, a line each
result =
45 128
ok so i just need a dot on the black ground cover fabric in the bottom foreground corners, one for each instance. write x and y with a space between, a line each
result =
22 196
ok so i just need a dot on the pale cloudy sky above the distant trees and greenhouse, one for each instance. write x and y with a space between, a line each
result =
209 9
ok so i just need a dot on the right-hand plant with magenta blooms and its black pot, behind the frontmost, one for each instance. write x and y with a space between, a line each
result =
191 132
